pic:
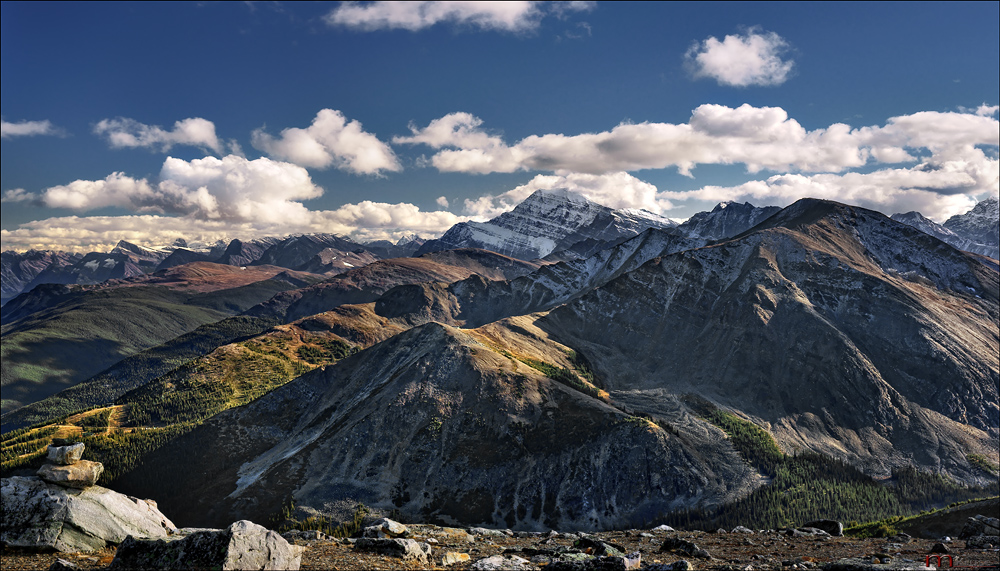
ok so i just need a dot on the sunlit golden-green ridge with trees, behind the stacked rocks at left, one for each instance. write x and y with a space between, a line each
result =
144 419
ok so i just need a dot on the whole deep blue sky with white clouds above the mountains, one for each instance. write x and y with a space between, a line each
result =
152 121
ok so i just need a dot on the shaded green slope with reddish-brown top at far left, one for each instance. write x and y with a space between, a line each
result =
47 348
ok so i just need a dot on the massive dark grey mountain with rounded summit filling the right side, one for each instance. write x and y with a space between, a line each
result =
842 331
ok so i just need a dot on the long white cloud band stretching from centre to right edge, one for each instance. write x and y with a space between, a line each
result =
757 137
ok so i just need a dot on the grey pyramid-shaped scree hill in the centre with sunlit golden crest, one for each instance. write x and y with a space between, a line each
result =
442 428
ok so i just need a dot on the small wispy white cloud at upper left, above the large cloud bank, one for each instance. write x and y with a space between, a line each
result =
129 133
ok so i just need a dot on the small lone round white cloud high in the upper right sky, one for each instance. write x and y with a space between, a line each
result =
741 60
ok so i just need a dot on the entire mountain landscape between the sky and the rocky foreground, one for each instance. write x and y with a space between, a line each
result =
562 366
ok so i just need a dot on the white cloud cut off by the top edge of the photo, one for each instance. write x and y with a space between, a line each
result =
414 16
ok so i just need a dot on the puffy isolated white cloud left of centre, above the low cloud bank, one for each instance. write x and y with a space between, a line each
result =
330 141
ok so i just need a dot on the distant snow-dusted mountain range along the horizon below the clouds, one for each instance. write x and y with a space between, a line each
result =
552 225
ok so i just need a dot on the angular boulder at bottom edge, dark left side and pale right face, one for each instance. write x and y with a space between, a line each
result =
243 545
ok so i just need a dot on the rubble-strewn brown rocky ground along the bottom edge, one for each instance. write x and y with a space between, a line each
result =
433 547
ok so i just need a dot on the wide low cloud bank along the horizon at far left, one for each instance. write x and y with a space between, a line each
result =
210 199
